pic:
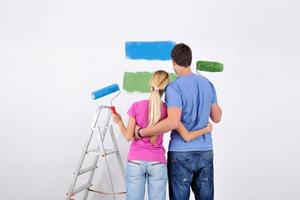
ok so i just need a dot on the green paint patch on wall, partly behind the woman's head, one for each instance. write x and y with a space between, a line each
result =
139 81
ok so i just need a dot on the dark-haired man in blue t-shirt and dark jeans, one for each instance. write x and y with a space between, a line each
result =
191 99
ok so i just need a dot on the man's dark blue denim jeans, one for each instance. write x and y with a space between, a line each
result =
191 169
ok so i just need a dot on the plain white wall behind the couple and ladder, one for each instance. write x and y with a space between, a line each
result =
54 53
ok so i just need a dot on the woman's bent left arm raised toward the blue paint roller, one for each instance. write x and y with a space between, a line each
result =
128 131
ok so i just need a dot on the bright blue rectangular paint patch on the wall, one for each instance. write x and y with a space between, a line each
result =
149 50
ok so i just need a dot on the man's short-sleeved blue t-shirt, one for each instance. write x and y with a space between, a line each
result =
194 94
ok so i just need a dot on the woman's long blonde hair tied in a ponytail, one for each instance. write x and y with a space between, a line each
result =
158 82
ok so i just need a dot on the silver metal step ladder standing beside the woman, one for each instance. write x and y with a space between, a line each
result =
99 151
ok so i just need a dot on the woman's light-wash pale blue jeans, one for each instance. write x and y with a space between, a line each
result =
138 172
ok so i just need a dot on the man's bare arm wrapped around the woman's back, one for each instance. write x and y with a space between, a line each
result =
165 125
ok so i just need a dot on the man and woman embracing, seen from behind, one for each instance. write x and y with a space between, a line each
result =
189 101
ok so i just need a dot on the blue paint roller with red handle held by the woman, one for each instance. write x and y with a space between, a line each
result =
106 91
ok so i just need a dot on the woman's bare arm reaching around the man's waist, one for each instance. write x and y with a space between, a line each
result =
188 136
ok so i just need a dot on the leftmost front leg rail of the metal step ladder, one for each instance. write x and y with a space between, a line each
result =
83 154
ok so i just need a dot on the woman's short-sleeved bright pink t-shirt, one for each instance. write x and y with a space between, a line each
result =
143 149
